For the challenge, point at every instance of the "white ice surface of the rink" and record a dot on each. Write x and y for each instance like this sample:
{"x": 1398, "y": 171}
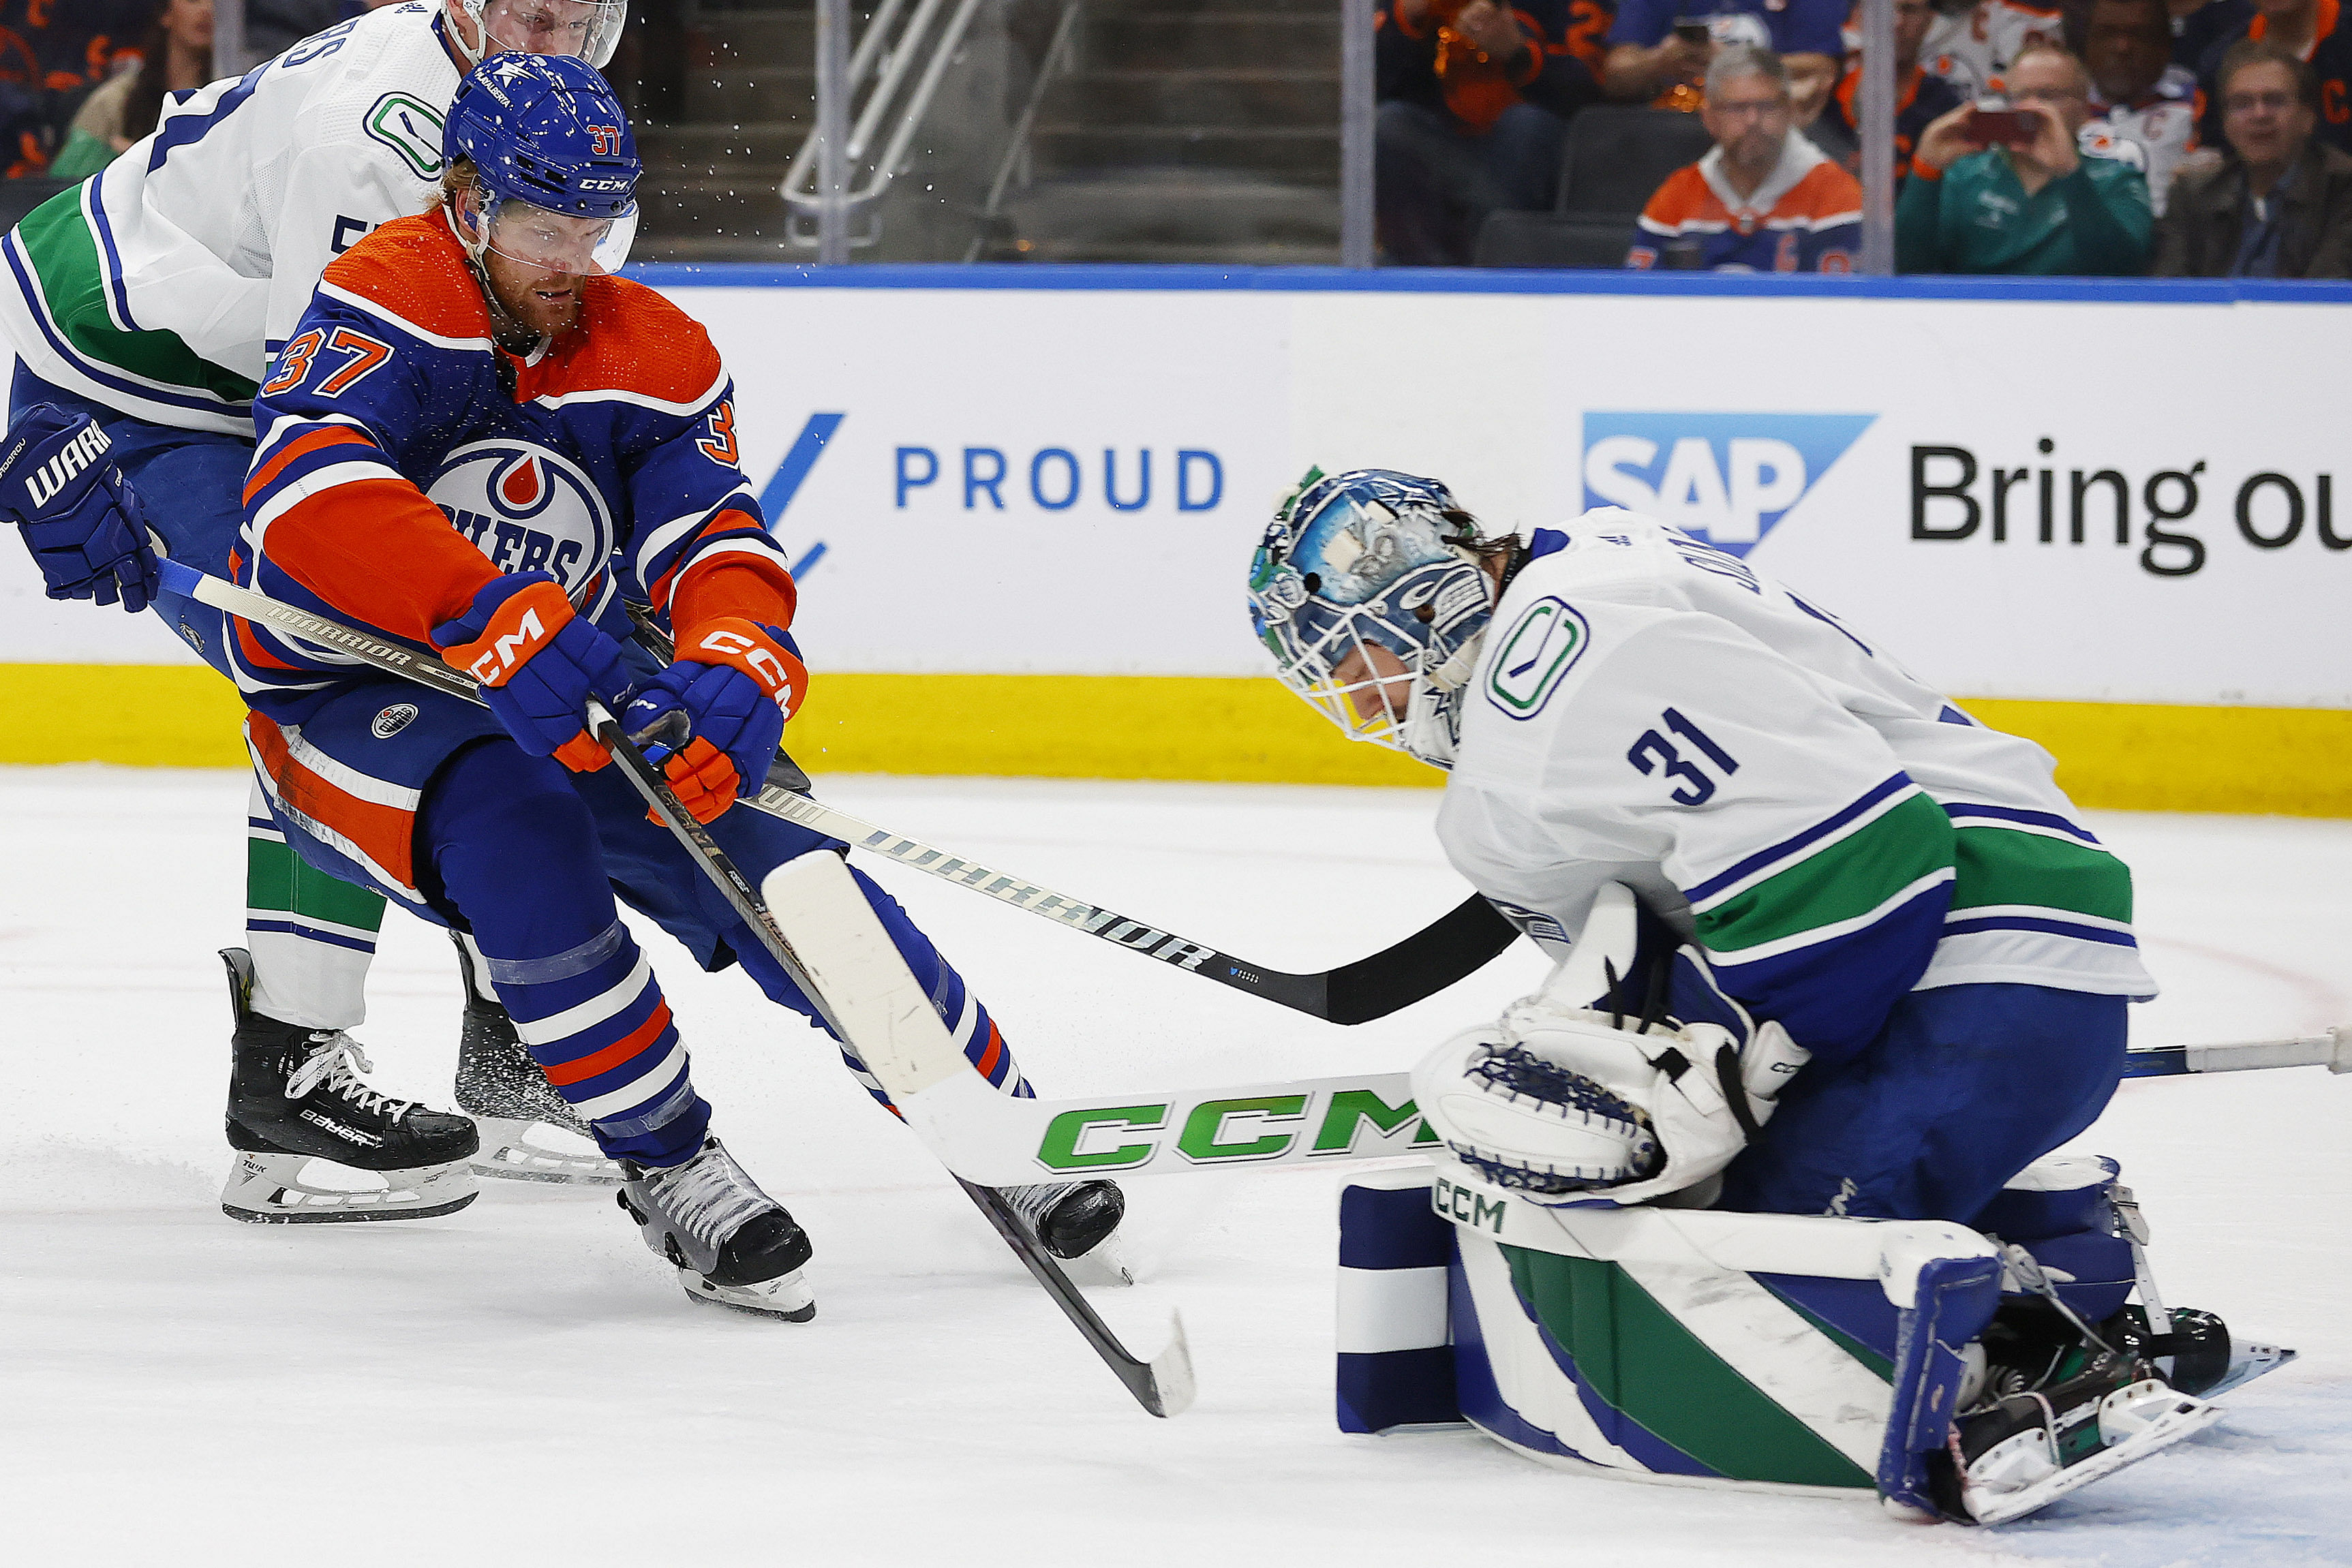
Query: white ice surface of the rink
{"x": 523, "y": 1381}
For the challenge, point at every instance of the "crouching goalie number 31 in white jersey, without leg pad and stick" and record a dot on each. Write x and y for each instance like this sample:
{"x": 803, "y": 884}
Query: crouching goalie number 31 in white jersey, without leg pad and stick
{"x": 1883, "y": 965}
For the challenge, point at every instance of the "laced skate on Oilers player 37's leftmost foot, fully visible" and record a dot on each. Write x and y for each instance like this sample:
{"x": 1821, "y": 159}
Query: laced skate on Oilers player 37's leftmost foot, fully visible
{"x": 730, "y": 1242}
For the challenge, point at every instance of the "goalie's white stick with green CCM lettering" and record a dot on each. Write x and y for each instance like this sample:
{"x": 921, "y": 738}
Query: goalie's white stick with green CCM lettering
{"x": 991, "y": 1139}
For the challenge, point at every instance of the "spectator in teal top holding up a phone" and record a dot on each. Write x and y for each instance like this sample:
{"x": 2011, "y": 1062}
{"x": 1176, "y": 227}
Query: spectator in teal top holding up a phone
{"x": 2038, "y": 206}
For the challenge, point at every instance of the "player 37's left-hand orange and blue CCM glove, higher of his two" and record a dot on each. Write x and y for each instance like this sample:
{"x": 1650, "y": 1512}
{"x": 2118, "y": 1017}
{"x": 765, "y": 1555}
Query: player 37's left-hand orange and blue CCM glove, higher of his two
{"x": 537, "y": 666}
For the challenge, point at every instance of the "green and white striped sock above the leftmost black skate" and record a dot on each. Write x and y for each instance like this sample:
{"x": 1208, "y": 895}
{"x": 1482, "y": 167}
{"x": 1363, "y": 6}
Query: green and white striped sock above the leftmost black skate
{"x": 312, "y": 934}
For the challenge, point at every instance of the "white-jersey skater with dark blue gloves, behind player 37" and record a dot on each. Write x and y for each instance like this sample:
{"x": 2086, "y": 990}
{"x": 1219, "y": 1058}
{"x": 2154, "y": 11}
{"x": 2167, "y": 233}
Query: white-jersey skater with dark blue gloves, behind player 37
{"x": 142, "y": 309}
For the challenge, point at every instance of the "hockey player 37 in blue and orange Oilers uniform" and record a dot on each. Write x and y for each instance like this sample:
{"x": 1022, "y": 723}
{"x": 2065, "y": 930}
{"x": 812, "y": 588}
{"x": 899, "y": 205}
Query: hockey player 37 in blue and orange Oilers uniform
{"x": 481, "y": 349}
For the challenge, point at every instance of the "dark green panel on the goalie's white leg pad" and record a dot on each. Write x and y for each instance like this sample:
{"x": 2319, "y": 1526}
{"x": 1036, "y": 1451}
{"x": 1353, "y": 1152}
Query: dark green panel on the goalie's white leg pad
{"x": 1641, "y": 1362}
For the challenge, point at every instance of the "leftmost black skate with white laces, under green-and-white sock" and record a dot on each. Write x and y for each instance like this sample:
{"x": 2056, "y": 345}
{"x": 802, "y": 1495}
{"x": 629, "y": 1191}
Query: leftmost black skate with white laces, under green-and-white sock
{"x": 293, "y": 1099}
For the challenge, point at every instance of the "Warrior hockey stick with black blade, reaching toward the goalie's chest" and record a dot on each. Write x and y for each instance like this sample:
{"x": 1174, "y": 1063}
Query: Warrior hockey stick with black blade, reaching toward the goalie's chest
{"x": 1422, "y": 965}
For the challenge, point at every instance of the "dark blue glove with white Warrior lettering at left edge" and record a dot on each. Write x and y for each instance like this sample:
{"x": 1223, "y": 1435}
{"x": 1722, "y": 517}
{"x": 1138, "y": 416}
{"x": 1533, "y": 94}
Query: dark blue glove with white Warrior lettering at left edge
{"x": 81, "y": 521}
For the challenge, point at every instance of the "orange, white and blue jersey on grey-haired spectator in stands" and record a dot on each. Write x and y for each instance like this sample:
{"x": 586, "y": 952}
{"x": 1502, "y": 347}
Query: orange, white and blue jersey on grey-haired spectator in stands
{"x": 1808, "y": 217}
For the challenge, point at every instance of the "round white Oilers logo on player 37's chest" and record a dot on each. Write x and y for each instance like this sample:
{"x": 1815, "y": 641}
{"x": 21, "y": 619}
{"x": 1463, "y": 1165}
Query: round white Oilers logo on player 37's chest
{"x": 526, "y": 509}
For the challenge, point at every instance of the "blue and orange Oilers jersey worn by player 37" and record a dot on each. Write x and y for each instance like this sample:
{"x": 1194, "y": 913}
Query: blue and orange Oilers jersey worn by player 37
{"x": 406, "y": 460}
